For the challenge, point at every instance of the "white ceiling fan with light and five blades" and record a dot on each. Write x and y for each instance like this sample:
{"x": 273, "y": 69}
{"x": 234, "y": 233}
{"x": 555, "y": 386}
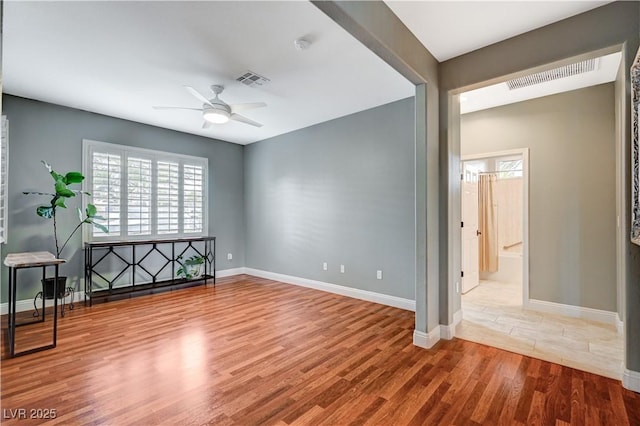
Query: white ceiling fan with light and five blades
{"x": 216, "y": 111}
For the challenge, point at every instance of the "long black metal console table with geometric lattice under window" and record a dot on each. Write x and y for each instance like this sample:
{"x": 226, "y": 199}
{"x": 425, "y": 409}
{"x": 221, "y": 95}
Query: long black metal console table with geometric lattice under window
{"x": 118, "y": 269}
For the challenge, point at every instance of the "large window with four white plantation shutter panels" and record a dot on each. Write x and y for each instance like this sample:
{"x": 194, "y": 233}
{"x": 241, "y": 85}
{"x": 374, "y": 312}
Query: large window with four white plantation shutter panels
{"x": 145, "y": 194}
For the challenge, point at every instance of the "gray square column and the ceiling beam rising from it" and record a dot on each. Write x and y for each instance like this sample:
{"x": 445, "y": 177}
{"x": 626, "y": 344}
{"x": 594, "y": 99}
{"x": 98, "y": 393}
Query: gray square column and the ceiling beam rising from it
{"x": 378, "y": 28}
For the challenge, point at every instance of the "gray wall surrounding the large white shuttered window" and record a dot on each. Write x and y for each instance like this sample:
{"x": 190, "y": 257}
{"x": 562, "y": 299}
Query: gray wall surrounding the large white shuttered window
{"x": 42, "y": 131}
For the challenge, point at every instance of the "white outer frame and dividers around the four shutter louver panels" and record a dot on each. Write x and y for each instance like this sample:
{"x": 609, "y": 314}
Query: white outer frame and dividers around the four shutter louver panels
{"x": 125, "y": 151}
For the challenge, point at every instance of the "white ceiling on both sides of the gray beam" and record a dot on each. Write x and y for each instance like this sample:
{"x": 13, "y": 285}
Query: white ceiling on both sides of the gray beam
{"x": 120, "y": 58}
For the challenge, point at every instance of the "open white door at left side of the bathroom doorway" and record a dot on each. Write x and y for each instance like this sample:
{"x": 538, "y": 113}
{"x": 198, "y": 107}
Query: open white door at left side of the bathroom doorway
{"x": 470, "y": 254}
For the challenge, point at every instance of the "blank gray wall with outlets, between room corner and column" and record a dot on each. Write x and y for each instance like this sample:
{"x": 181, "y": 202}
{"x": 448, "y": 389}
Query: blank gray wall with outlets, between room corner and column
{"x": 340, "y": 192}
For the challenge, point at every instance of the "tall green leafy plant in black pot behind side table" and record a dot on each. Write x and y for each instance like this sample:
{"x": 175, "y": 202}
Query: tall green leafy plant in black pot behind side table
{"x": 61, "y": 193}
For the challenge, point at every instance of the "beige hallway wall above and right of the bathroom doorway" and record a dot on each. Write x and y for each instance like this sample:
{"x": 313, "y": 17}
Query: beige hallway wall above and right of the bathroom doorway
{"x": 572, "y": 210}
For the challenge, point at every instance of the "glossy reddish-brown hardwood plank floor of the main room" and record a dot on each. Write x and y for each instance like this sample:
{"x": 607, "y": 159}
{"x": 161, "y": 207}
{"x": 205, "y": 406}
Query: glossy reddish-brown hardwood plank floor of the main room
{"x": 256, "y": 351}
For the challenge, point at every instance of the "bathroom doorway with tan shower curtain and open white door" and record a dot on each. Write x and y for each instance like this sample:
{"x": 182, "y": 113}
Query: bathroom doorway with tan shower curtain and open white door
{"x": 493, "y": 192}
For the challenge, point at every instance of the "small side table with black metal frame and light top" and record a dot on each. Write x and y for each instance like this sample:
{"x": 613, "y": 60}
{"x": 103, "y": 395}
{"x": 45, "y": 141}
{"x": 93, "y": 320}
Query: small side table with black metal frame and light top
{"x": 15, "y": 261}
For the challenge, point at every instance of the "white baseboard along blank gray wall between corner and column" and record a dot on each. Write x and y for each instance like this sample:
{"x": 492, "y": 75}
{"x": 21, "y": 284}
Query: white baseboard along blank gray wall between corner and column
{"x": 370, "y": 296}
